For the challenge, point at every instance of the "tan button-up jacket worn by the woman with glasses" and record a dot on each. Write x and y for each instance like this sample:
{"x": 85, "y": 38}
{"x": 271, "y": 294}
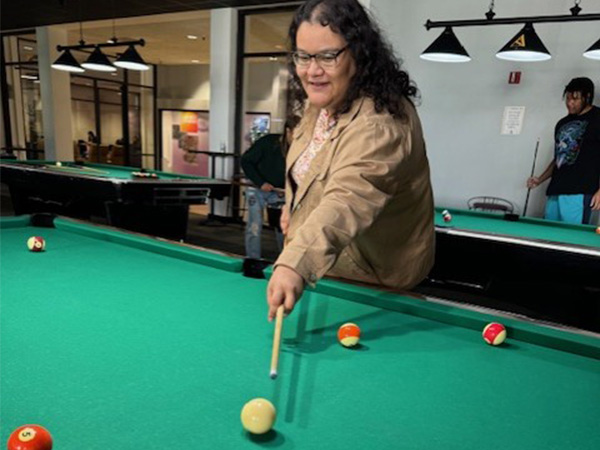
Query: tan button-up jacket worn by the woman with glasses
{"x": 365, "y": 208}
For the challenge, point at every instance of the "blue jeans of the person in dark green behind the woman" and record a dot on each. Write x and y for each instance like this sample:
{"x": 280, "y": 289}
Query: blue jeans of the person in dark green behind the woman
{"x": 256, "y": 201}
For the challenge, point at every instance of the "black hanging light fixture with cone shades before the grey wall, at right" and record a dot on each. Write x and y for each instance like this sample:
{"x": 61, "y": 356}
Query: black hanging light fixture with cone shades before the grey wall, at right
{"x": 525, "y": 46}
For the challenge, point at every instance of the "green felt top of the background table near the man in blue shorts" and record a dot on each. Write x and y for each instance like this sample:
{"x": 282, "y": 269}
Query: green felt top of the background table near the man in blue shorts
{"x": 525, "y": 227}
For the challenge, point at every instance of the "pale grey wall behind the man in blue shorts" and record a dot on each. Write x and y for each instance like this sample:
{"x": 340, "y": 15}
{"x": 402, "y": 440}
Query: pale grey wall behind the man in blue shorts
{"x": 461, "y": 105}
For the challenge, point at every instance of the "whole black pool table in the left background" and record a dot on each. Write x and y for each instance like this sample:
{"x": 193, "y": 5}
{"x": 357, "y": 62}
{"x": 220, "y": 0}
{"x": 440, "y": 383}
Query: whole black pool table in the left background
{"x": 153, "y": 206}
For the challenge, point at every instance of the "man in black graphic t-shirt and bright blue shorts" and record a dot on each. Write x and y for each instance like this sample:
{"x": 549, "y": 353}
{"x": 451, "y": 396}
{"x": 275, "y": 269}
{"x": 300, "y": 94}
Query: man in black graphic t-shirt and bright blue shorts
{"x": 574, "y": 189}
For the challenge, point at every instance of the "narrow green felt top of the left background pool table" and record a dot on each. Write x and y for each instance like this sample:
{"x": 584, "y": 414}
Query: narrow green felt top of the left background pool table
{"x": 99, "y": 170}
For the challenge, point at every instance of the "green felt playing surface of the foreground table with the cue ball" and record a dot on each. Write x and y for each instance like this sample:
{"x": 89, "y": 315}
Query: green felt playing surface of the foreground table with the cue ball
{"x": 114, "y": 346}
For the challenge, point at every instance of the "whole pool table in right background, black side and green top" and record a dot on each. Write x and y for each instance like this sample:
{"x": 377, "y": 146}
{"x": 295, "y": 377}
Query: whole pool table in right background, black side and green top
{"x": 547, "y": 269}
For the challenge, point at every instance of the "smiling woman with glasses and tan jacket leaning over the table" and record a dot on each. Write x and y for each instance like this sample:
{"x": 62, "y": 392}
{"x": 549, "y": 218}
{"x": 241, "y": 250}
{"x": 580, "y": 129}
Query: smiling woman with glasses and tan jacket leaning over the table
{"x": 359, "y": 202}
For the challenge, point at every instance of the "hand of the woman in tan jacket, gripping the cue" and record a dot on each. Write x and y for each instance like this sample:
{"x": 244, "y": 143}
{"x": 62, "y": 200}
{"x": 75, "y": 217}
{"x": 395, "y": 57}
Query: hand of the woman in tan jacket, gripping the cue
{"x": 285, "y": 288}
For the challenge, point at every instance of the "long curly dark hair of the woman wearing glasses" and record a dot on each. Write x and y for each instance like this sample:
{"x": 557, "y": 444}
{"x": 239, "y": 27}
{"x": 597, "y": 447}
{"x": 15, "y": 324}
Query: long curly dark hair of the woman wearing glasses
{"x": 378, "y": 73}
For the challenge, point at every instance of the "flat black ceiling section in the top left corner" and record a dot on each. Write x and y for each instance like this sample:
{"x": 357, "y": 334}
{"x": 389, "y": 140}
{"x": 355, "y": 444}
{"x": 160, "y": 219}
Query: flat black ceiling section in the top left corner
{"x": 23, "y": 14}
